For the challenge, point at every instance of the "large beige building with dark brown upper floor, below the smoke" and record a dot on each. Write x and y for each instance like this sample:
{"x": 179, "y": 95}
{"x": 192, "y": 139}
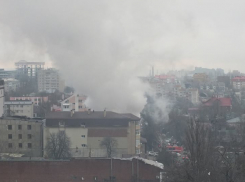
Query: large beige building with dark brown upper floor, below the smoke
{"x": 87, "y": 130}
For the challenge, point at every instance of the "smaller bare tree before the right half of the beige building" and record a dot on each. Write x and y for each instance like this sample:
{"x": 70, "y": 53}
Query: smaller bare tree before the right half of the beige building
{"x": 110, "y": 144}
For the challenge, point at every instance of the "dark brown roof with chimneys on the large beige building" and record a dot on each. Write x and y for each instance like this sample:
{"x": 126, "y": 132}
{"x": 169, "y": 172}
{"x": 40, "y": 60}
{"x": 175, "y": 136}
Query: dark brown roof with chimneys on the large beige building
{"x": 94, "y": 115}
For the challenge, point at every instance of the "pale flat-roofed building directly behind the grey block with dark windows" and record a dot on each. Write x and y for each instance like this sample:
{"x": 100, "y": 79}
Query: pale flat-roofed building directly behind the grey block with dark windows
{"x": 19, "y": 108}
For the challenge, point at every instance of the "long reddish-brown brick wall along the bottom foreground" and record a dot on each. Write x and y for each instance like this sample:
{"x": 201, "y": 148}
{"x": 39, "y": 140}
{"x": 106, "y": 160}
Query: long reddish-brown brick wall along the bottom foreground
{"x": 78, "y": 170}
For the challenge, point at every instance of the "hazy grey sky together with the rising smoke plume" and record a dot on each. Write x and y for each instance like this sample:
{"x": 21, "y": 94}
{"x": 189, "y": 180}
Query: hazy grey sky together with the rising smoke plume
{"x": 100, "y": 45}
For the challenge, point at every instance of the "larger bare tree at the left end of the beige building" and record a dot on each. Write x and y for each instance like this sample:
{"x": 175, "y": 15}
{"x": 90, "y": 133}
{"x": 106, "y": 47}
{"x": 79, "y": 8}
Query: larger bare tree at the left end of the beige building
{"x": 58, "y": 145}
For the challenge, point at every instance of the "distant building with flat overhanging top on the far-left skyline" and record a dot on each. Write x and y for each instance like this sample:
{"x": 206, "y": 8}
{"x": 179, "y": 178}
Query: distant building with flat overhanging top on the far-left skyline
{"x": 29, "y": 69}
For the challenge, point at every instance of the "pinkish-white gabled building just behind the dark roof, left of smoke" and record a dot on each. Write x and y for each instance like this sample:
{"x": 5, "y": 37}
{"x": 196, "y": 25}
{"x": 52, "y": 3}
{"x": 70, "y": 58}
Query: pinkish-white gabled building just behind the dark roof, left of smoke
{"x": 74, "y": 102}
